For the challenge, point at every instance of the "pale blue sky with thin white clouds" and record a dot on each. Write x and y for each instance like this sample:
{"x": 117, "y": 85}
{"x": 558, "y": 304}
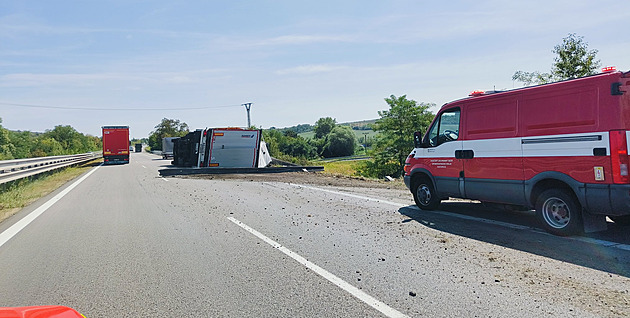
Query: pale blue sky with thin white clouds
{"x": 89, "y": 64}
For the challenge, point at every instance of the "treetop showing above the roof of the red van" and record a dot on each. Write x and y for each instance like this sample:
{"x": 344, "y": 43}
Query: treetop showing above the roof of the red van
{"x": 573, "y": 60}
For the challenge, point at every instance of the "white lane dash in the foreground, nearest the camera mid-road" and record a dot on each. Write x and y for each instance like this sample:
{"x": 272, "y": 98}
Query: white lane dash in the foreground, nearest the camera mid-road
{"x": 361, "y": 295}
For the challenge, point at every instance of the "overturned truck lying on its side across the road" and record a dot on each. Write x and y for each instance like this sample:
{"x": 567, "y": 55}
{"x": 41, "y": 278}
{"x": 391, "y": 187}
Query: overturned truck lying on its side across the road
{"x": 222, "y": 148}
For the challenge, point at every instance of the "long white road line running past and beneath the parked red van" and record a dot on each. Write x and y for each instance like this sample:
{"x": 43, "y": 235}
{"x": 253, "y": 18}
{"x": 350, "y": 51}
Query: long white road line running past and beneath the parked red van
{"x": 466, "y": 217}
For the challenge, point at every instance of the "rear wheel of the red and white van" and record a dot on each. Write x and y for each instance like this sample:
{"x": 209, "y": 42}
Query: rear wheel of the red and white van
{"x": 559, "y": 212}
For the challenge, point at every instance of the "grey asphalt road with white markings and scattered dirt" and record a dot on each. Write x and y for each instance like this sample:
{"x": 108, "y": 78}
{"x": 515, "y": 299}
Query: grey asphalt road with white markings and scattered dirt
{"x": 126, "y": 242}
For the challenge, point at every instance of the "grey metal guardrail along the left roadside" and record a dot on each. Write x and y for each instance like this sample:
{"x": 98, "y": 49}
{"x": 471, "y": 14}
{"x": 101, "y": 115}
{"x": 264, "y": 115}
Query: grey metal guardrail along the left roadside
{"x": 11, "y": 170}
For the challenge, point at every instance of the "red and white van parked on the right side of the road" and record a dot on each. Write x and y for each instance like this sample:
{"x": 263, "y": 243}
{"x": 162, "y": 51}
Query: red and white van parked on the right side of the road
{"x": 561, "y": 148}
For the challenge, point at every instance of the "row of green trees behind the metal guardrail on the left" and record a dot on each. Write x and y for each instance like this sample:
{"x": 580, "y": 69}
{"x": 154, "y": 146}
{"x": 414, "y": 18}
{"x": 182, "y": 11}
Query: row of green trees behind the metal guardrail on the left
{"x": 61, "y": 140}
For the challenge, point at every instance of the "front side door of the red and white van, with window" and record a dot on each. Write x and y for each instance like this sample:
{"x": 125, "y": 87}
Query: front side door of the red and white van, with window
{"x": 441, "y": 150}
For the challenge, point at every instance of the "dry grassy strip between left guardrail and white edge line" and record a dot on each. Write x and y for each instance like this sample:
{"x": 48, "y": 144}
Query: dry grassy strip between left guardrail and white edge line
{"x": 23, "y": 192}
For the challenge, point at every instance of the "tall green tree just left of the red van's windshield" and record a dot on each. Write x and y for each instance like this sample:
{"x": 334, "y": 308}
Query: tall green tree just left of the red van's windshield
{"x": 395, "y": 141}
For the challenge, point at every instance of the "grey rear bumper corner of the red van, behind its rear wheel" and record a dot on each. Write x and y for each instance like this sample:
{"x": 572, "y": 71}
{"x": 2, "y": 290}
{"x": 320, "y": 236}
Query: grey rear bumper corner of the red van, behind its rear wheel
{"x": 613, "y": 199}
